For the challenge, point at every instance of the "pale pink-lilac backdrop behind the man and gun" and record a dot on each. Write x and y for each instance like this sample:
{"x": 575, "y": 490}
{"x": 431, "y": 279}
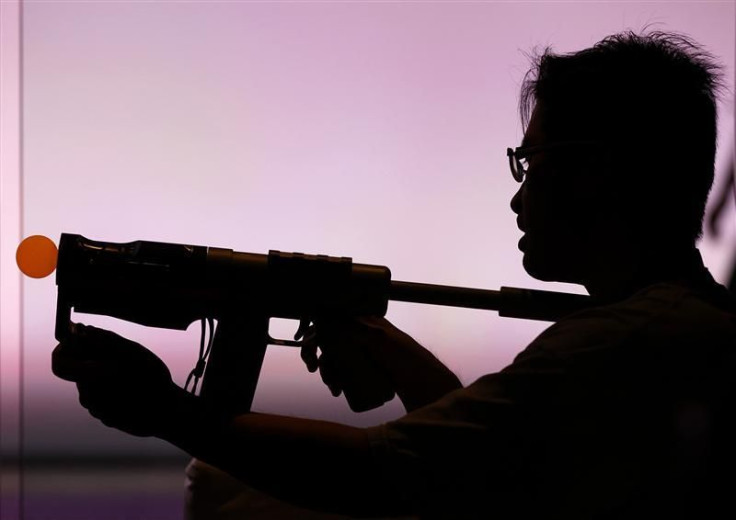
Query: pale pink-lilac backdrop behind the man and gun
{"x": 375, "y": 130}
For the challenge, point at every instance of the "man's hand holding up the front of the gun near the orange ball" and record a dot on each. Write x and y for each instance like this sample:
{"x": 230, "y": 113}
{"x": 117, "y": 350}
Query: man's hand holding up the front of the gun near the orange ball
{"x": 120, "y": 382}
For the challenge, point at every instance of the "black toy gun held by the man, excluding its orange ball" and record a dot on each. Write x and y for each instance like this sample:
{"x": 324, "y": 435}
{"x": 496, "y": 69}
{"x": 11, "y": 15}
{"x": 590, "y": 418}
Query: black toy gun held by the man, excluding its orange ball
{"x": 172, "y": 285}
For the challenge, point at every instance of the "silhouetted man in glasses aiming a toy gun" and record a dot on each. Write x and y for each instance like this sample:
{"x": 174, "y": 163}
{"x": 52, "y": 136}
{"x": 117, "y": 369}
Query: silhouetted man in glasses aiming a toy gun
{"x": 621, "y": 411}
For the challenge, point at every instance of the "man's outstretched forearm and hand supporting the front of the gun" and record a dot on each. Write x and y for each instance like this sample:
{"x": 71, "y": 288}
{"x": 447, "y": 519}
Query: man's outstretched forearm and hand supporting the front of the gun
{"x": 314, "y": 464}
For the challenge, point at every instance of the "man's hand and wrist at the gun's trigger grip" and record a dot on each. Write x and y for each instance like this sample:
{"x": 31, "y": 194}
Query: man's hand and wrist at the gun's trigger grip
{"x": 368, "y": 359}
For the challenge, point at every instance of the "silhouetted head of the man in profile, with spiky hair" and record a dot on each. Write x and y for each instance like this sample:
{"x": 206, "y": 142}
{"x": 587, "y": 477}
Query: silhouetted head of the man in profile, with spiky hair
{"x": 640, "y": 112}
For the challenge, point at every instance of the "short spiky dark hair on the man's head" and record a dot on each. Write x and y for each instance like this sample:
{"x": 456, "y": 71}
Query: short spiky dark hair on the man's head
{"x": 651, "y": 97}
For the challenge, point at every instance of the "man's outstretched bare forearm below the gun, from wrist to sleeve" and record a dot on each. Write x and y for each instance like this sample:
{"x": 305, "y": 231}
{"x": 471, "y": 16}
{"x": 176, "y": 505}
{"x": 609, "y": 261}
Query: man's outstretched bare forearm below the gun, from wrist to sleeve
{"x": 314, "y": 464}
